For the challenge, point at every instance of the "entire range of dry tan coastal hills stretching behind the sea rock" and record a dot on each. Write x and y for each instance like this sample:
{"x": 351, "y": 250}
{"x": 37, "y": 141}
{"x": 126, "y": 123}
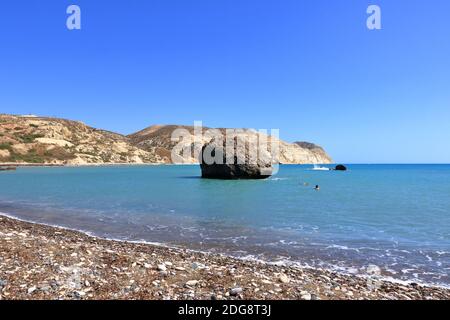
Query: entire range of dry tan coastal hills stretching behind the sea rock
{"x": 44, "y": 140}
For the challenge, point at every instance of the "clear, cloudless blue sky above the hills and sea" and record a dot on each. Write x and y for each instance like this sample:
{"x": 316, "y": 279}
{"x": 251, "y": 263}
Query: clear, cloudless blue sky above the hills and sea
{"x": 310, "y": 68}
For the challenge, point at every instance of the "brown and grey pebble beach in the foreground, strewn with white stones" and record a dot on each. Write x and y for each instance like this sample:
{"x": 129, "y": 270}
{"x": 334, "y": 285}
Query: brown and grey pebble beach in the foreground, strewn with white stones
{"x": 47, "y": 262}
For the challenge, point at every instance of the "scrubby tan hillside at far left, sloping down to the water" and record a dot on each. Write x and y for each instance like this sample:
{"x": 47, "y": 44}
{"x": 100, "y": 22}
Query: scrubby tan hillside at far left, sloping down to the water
{"x": 29, "y": 139}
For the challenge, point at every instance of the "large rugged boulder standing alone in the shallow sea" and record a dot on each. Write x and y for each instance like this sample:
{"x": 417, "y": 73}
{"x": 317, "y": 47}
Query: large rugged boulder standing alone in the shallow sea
{"x": 240, "y": 160}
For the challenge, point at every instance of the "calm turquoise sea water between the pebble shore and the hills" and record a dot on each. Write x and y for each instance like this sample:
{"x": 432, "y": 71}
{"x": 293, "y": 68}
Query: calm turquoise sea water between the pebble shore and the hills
{"x": 394, "y": 216}
